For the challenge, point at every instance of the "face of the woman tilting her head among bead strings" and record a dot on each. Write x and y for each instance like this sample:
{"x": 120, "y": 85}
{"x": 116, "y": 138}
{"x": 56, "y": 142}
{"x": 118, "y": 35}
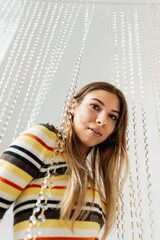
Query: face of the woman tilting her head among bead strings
{"x": 95, "y": 118}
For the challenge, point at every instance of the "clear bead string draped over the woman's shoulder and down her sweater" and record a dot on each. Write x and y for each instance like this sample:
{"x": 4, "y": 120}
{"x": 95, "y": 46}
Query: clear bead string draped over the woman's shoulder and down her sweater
{"x": 41, "y": 207}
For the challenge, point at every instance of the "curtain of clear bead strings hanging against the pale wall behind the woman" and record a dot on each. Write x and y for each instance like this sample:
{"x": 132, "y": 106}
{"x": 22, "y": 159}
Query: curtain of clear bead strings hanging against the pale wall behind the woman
{"x": 45, "y": 45}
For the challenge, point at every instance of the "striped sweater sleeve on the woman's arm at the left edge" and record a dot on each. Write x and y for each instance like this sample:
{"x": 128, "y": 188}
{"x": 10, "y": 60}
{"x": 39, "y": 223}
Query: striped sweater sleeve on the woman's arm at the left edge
{"x": 21, "y": 162}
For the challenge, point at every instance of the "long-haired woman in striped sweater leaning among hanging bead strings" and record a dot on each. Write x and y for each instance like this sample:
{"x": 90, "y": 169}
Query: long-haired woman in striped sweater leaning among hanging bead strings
{"x": 65, "y": 186}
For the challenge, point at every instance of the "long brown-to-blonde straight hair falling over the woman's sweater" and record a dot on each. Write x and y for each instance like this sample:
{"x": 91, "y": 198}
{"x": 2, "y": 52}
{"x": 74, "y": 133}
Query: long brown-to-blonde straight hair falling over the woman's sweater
{"x": 109, "y": 158}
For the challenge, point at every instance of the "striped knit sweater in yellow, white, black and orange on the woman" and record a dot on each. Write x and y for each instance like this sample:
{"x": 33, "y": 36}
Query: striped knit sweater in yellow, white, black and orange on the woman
{"x": 22, "y": 169}
